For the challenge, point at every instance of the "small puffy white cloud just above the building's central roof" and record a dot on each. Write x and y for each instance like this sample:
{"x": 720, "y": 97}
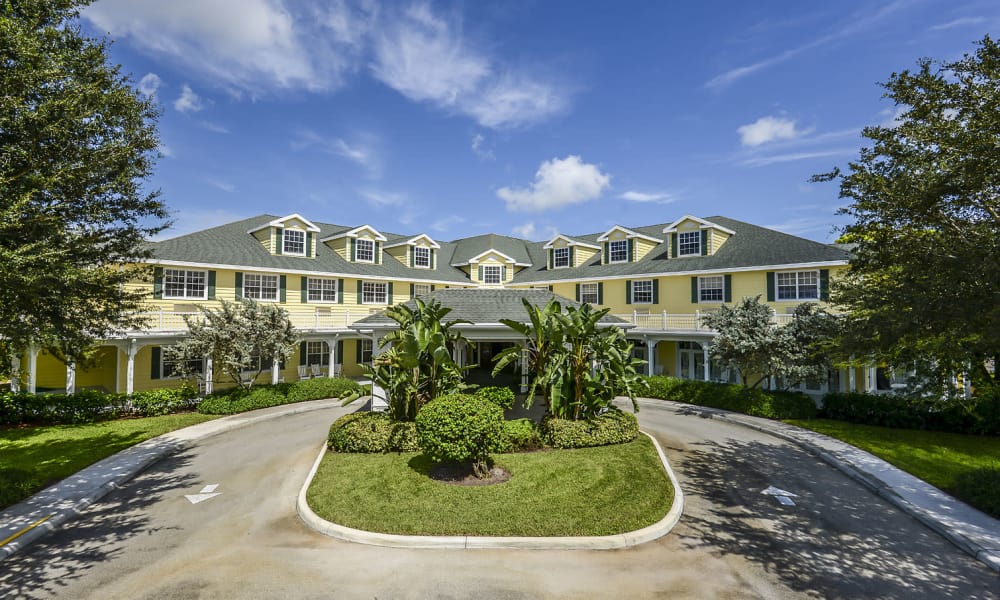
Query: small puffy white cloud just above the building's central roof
{"x": 558, "y": 183}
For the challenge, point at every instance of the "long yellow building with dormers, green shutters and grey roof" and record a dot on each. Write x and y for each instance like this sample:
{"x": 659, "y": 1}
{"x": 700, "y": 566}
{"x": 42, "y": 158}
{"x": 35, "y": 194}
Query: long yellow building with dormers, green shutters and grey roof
{"x": 335, "y": 280}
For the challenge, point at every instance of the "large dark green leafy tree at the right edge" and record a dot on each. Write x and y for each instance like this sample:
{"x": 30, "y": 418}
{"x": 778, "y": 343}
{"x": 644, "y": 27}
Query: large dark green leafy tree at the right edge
{"x": 925, "y": 199}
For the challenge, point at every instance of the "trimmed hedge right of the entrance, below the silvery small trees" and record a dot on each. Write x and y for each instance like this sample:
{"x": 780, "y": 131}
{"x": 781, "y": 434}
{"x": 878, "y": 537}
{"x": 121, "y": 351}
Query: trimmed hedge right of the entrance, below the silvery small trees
{"x": 755, "y": 402}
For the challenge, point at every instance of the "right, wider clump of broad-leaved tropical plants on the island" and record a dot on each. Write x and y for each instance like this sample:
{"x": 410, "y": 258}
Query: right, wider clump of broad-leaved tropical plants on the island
{"x": 579, "y": 365}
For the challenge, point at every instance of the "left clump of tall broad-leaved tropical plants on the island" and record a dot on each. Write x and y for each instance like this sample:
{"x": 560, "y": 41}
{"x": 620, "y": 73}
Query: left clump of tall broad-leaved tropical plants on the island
{"x": 418, "y": 366}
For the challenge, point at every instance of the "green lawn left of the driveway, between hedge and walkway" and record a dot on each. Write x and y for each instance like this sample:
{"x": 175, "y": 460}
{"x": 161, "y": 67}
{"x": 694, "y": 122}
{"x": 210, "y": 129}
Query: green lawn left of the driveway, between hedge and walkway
{"x": 34, "y": 457}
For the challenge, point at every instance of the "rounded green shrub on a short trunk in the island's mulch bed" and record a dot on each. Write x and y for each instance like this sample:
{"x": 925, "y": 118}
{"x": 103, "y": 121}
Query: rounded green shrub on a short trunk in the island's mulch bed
{"x": 461, "y": 428}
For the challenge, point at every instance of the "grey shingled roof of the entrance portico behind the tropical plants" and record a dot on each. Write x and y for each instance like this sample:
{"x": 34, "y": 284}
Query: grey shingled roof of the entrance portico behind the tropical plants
{"x": 485, "y": 305}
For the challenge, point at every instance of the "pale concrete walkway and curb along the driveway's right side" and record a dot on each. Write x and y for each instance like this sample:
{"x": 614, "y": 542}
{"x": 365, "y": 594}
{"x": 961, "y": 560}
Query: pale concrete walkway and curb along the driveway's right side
{"x": 955, "y": 532}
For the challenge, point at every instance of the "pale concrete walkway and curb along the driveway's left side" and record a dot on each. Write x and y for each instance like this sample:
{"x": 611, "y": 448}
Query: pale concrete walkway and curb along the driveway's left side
{"x": 32, "y": 519}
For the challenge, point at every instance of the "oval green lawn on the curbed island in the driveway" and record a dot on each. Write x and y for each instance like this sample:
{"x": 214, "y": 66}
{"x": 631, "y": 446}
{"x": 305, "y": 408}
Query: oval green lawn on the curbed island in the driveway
{"x": 589, "y": 491}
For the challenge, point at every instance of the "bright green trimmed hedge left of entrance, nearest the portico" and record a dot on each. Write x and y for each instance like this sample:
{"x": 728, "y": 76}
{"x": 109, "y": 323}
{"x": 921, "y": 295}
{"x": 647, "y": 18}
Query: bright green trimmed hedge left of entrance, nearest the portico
{"x": 238, "y": 400}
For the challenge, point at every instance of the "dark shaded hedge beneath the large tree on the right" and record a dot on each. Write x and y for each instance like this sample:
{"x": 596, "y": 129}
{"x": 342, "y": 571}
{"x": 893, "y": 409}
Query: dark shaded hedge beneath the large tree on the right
{"x": 977, "y": 415}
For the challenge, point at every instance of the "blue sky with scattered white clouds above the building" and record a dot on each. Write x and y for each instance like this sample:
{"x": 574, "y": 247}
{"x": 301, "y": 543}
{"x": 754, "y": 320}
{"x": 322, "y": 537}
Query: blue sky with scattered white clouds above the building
{"x": 520, "y": 118}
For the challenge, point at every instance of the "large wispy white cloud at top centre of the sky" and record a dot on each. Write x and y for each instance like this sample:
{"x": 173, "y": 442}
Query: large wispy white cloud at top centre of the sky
{"x": 427, "y": 59}
